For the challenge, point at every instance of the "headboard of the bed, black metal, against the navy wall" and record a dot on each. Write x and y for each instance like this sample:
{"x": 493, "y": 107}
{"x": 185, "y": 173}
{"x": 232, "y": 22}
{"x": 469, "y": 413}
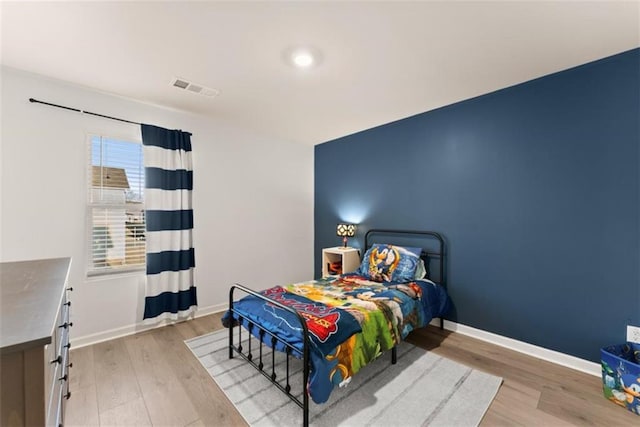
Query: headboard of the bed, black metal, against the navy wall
{"x": 432, "y": 244}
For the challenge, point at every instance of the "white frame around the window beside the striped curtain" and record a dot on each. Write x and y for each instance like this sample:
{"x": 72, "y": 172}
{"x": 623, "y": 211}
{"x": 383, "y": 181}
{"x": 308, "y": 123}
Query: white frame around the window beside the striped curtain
{"x": 90, "y": 270}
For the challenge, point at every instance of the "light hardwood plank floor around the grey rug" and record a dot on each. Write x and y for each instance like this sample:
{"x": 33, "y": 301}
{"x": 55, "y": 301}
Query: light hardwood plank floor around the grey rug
{"x": 153, "y": 379}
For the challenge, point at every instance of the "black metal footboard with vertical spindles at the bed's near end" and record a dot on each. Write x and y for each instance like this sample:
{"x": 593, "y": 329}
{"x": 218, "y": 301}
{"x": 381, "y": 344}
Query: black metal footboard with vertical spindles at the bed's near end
{"x": 273, "y": 340}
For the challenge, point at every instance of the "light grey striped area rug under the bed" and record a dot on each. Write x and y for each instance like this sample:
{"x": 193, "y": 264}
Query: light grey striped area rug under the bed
{"x": 420, "y": 389}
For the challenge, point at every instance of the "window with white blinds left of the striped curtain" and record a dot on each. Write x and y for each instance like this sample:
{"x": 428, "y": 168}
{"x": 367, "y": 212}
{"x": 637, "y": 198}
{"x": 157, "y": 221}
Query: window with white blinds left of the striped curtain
{"x": 116, "y": 206}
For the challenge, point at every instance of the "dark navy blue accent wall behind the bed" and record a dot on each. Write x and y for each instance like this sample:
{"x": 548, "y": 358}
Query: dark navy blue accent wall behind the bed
{"x": 536, "y": 189}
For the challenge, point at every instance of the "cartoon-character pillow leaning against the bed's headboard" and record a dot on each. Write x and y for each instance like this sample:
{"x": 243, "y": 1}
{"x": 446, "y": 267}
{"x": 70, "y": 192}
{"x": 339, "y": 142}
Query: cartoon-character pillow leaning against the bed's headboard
{"x": 389, "y": 263}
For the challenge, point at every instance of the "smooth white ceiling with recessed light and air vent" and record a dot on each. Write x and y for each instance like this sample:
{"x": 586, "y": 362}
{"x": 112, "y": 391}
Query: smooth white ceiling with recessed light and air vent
{"x": 381, "y": 61}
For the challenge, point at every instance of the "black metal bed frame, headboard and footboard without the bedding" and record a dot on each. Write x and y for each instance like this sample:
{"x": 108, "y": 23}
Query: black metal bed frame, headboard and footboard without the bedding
{"x": 283, "y": 384}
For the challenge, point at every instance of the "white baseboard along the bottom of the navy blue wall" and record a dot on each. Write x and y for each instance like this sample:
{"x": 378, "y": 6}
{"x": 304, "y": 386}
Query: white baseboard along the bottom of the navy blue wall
{"x": 553, "y": 356}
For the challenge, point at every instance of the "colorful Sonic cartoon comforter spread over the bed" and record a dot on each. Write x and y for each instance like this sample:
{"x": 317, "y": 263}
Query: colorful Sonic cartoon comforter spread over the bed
{"x": 351, "y": 321}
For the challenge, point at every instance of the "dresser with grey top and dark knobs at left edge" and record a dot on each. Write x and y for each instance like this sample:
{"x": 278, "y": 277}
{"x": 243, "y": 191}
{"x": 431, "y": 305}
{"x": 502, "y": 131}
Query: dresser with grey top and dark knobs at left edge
{"x": 34, "y": 342}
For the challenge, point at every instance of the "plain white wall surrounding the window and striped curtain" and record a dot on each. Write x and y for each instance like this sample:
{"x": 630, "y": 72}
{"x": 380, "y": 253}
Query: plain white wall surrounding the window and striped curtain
{"x": 253, "y": 198}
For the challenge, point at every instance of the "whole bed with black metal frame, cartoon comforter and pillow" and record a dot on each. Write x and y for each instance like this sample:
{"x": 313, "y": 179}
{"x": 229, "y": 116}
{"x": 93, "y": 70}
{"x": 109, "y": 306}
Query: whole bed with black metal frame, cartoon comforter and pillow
{"x": 338, "y": 325}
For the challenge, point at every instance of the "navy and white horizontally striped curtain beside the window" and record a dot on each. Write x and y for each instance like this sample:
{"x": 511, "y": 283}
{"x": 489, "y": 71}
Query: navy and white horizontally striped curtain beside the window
{"x": 170, "y": 291}
